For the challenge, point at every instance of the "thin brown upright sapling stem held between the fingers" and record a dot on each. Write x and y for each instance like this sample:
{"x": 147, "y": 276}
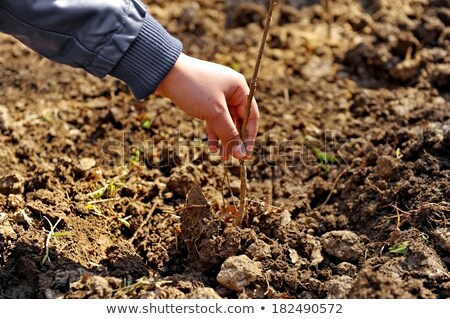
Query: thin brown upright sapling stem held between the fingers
{"x": 244, "y": 129}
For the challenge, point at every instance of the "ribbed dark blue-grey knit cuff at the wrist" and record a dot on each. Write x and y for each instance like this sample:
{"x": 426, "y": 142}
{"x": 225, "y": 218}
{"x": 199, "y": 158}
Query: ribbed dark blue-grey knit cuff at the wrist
{"x": 148, "y": 59}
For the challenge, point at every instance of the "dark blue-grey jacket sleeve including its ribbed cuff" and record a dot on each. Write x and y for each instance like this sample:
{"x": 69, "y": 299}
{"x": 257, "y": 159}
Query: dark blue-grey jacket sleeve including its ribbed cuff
{"x": 115, "y": 37}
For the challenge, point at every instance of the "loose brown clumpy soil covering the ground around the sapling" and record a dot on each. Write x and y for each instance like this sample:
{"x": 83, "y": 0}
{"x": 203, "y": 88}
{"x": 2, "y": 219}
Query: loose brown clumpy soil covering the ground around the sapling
{"x": 102, "y": 196}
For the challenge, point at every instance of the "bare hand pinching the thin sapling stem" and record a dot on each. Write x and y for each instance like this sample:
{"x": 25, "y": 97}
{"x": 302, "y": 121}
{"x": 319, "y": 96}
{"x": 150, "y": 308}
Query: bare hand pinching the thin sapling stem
{"x": 216, "y": 94}
